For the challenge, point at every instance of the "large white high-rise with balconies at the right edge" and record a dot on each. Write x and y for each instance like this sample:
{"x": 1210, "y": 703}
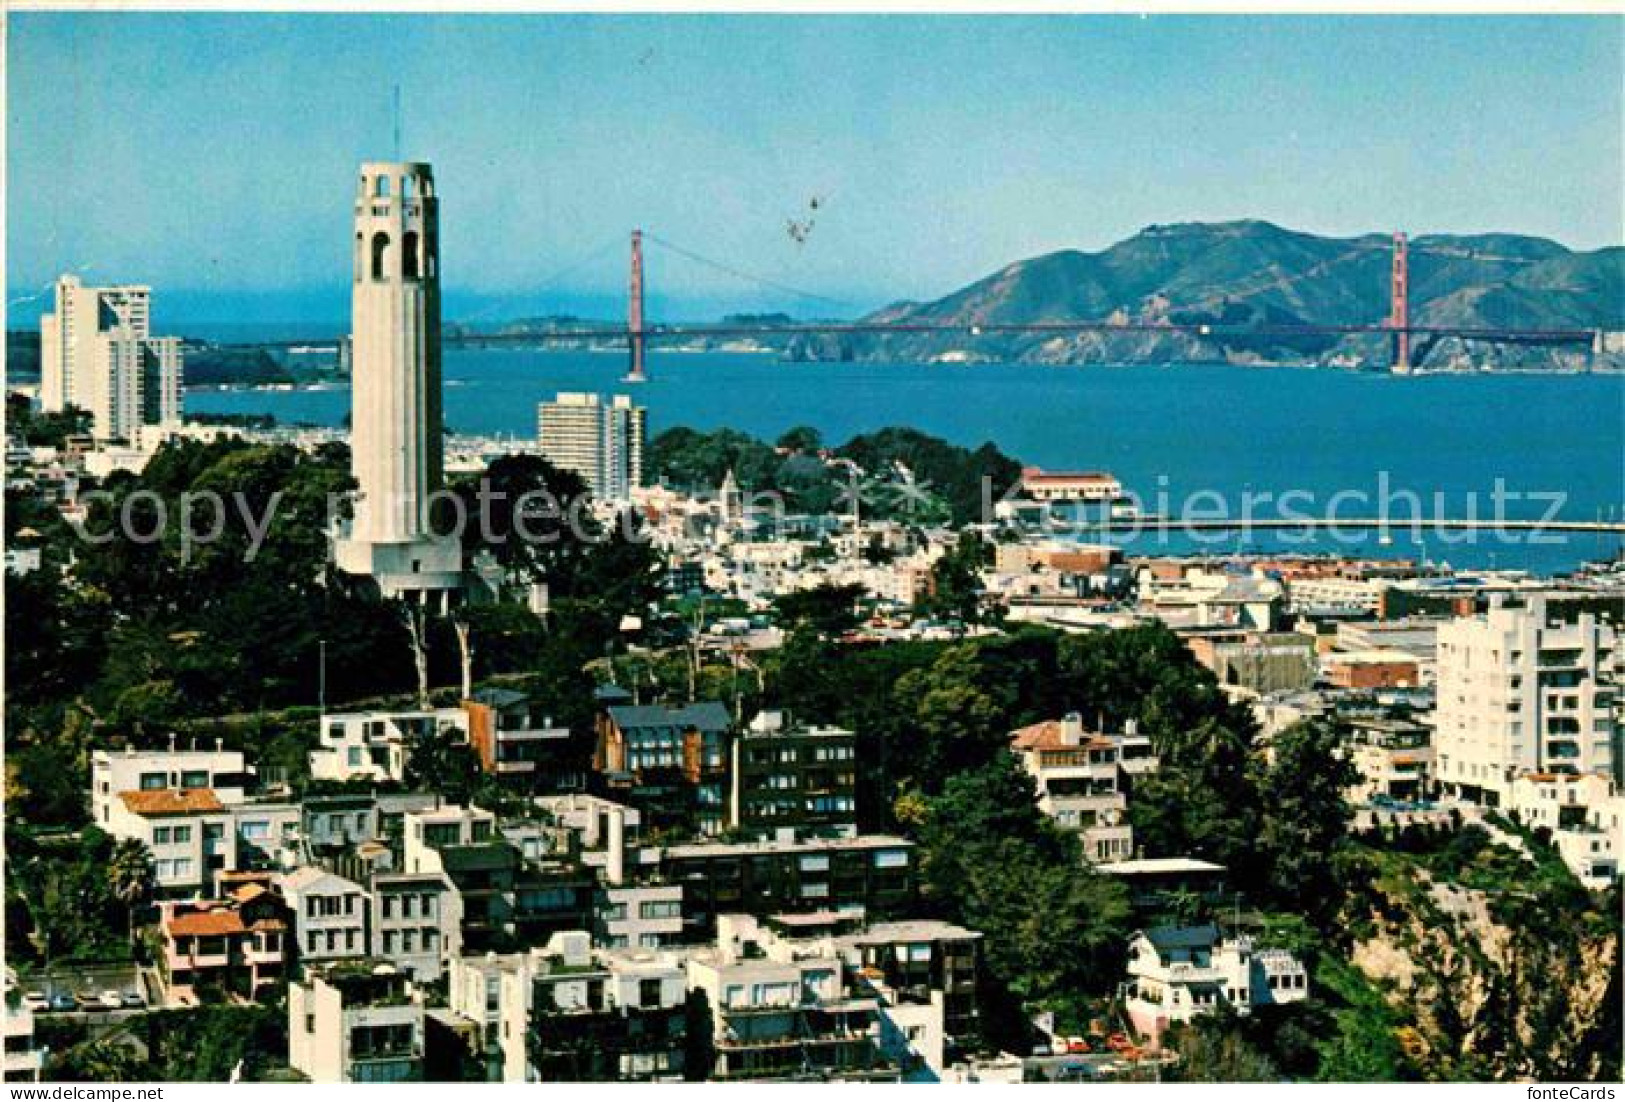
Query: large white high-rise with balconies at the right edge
{"x": 1522, "y": 693}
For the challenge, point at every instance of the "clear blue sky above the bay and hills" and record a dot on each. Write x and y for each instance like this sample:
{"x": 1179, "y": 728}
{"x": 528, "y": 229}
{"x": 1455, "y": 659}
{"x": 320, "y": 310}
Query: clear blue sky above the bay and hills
{"x": 214, "y": 157}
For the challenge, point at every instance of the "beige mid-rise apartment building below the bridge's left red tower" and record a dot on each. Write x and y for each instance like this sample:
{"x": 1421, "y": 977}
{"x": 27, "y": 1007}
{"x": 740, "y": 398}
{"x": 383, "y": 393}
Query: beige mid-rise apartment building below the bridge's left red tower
{"x": 604, "y": 443}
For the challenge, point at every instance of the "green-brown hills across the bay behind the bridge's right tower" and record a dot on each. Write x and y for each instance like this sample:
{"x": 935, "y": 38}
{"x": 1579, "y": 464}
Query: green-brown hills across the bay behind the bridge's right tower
{"x": 1254, "y": 272}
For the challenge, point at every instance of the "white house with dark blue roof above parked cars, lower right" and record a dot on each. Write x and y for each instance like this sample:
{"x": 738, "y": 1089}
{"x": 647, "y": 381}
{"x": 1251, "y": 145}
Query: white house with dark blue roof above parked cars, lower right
{"x": 1181, "y": 973}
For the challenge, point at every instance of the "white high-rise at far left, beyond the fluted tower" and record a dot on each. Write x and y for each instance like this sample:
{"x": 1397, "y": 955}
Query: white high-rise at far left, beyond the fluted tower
{"x": 98, "y": 354}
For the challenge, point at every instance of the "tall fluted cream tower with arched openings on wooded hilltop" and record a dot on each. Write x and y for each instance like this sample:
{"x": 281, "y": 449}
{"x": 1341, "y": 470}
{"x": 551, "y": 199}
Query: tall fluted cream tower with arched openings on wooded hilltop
{"x": 396, "y": 388}
